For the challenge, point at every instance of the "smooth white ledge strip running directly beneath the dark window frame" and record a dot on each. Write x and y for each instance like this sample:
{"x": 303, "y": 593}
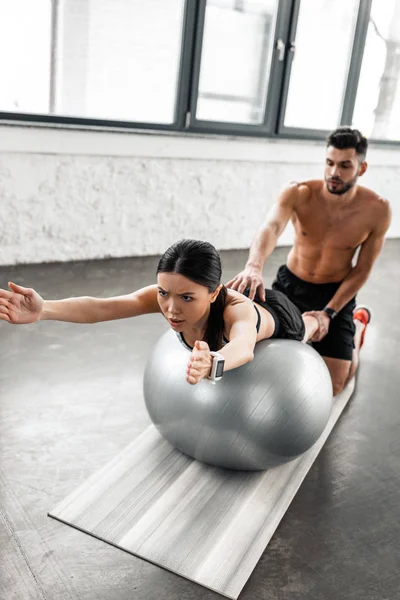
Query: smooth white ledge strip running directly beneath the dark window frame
{"x": 61, "y": 139}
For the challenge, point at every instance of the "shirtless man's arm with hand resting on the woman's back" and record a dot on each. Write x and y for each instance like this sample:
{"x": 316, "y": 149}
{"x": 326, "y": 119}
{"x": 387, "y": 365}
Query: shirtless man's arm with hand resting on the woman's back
{"x": 265, "y": 242}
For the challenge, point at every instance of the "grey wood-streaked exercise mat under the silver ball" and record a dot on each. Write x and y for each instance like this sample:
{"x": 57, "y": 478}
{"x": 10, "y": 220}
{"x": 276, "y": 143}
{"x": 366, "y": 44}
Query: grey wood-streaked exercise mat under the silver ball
{"x": 206, "y": 524}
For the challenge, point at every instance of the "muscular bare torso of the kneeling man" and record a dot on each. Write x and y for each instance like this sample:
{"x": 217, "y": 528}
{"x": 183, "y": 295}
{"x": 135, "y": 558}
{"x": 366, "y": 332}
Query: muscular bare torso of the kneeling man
{"x": 329, "y": 230}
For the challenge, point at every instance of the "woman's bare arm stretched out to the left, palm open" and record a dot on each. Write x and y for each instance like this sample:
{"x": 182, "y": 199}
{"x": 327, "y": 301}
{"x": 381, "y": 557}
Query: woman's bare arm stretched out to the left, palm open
{"x": 20, "y": 305}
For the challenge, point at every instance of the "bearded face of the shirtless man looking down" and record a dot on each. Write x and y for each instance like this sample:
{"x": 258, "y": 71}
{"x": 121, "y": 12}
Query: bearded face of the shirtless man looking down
{"x": 342, "y": 169}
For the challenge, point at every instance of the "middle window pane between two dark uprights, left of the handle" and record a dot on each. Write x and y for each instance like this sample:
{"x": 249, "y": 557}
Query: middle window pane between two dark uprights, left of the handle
{"x": 236, "y": 56}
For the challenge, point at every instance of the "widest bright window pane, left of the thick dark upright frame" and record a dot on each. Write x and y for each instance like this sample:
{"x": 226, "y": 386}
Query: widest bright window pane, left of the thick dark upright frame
{"x": 119, "y": 60}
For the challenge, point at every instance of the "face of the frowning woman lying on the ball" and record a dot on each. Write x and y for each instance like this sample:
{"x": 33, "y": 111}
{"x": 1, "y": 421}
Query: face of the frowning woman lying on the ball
{"x": 184, "y": 304}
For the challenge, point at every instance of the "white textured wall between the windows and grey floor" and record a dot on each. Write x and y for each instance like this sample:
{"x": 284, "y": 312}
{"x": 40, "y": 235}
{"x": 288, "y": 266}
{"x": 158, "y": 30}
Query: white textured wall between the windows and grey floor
{"x": 68, "y": 194}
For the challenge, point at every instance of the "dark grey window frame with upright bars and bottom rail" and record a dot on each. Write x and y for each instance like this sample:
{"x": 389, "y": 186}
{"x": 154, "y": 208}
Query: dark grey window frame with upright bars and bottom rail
{"x": 185, "y": 121}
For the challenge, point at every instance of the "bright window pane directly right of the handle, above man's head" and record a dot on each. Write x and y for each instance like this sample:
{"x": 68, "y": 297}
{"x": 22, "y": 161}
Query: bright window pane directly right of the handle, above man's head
{"x": 323, "y": 45}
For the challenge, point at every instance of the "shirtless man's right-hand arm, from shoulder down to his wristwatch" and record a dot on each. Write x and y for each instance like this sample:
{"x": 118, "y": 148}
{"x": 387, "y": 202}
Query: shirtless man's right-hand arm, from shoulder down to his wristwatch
{"x": 369, "y": 252}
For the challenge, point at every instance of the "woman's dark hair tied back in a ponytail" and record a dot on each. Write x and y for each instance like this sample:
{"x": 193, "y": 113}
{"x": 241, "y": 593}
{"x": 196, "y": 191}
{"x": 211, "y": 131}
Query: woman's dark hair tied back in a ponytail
{"x": 200, "y": 262}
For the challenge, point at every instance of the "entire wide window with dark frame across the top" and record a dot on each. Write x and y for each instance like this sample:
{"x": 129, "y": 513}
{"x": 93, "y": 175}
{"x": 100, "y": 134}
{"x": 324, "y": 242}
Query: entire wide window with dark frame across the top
{"x": 255, "y": 67}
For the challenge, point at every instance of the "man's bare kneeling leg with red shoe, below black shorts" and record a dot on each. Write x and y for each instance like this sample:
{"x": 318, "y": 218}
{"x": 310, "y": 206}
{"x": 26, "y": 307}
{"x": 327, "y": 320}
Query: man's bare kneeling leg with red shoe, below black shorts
{"x": 343, "y": 370}
